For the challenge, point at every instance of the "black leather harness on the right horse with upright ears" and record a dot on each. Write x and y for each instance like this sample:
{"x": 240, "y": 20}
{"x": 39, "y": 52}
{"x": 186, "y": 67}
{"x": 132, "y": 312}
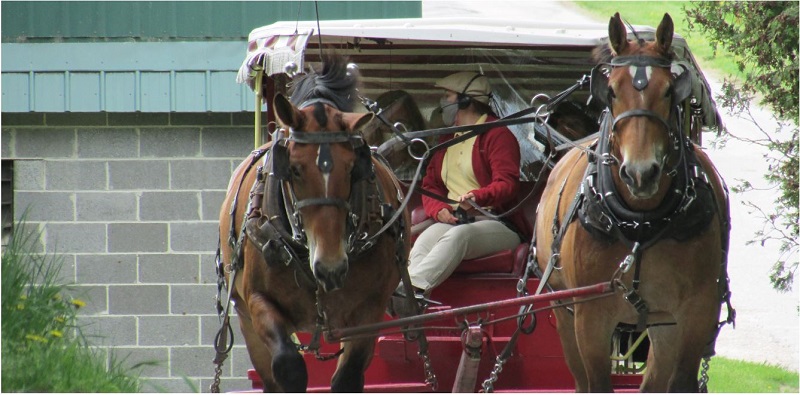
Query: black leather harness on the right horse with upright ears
{"x": 686, "y": 210}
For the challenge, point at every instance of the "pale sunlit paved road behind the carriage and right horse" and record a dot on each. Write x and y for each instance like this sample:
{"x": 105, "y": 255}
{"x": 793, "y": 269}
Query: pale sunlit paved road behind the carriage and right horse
{"x": 768, "y": 322}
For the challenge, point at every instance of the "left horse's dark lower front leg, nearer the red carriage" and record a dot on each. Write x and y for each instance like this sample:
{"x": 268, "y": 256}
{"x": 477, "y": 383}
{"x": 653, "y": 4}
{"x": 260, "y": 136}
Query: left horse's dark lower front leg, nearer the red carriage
{"x": 349, "y": 375}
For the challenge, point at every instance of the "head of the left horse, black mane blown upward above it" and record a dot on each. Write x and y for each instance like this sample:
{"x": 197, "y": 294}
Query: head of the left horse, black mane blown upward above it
{"x": 323, "y": 158}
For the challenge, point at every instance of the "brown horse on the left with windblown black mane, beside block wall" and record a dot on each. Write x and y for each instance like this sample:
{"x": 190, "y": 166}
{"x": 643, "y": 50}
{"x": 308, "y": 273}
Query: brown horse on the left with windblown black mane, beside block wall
{"x": 317, "y": 250}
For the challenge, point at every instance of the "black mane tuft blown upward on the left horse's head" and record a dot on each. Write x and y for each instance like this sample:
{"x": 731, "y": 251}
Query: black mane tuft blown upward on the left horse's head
{"x": 334, "y": 83}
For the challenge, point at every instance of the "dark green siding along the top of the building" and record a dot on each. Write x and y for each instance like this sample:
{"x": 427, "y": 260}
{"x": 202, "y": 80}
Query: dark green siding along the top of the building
{"x": 44, "y": 21}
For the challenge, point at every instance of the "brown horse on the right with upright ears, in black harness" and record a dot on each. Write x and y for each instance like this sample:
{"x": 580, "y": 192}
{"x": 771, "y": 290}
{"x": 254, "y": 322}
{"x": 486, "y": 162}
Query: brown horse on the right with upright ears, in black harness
{"x": 646, "y": 195}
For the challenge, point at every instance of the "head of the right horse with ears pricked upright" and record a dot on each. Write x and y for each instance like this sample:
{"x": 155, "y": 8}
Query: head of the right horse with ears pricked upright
{"x": 641, "y": 94}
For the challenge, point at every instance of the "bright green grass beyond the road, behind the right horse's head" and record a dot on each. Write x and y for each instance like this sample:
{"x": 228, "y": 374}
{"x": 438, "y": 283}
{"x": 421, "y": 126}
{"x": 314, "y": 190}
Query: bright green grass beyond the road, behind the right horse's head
{"x": 650, "y": 13}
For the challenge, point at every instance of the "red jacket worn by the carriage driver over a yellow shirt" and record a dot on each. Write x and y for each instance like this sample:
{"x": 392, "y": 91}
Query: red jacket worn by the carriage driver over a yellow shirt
{"x": 495, "y": 161}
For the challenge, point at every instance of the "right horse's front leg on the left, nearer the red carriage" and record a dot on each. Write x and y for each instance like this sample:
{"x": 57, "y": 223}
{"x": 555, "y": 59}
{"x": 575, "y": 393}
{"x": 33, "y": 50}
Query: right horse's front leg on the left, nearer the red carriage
{"x": 593, "y": 329}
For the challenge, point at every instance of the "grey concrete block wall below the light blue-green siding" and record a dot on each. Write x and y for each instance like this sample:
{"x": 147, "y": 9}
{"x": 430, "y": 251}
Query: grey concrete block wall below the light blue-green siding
{"x": 131, "y": 202}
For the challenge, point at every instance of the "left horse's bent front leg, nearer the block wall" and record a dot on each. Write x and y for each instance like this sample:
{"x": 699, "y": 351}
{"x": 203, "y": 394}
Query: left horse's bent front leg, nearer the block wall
{"x": 288, "y": 367}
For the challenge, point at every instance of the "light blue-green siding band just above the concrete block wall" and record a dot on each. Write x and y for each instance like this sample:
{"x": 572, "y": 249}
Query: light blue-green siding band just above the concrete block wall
{"x": 124, "y": 77}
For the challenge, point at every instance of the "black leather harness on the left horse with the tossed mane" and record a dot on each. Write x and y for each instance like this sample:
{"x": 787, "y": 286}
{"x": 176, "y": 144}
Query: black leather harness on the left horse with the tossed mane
{"x": 273, "y": 221}
